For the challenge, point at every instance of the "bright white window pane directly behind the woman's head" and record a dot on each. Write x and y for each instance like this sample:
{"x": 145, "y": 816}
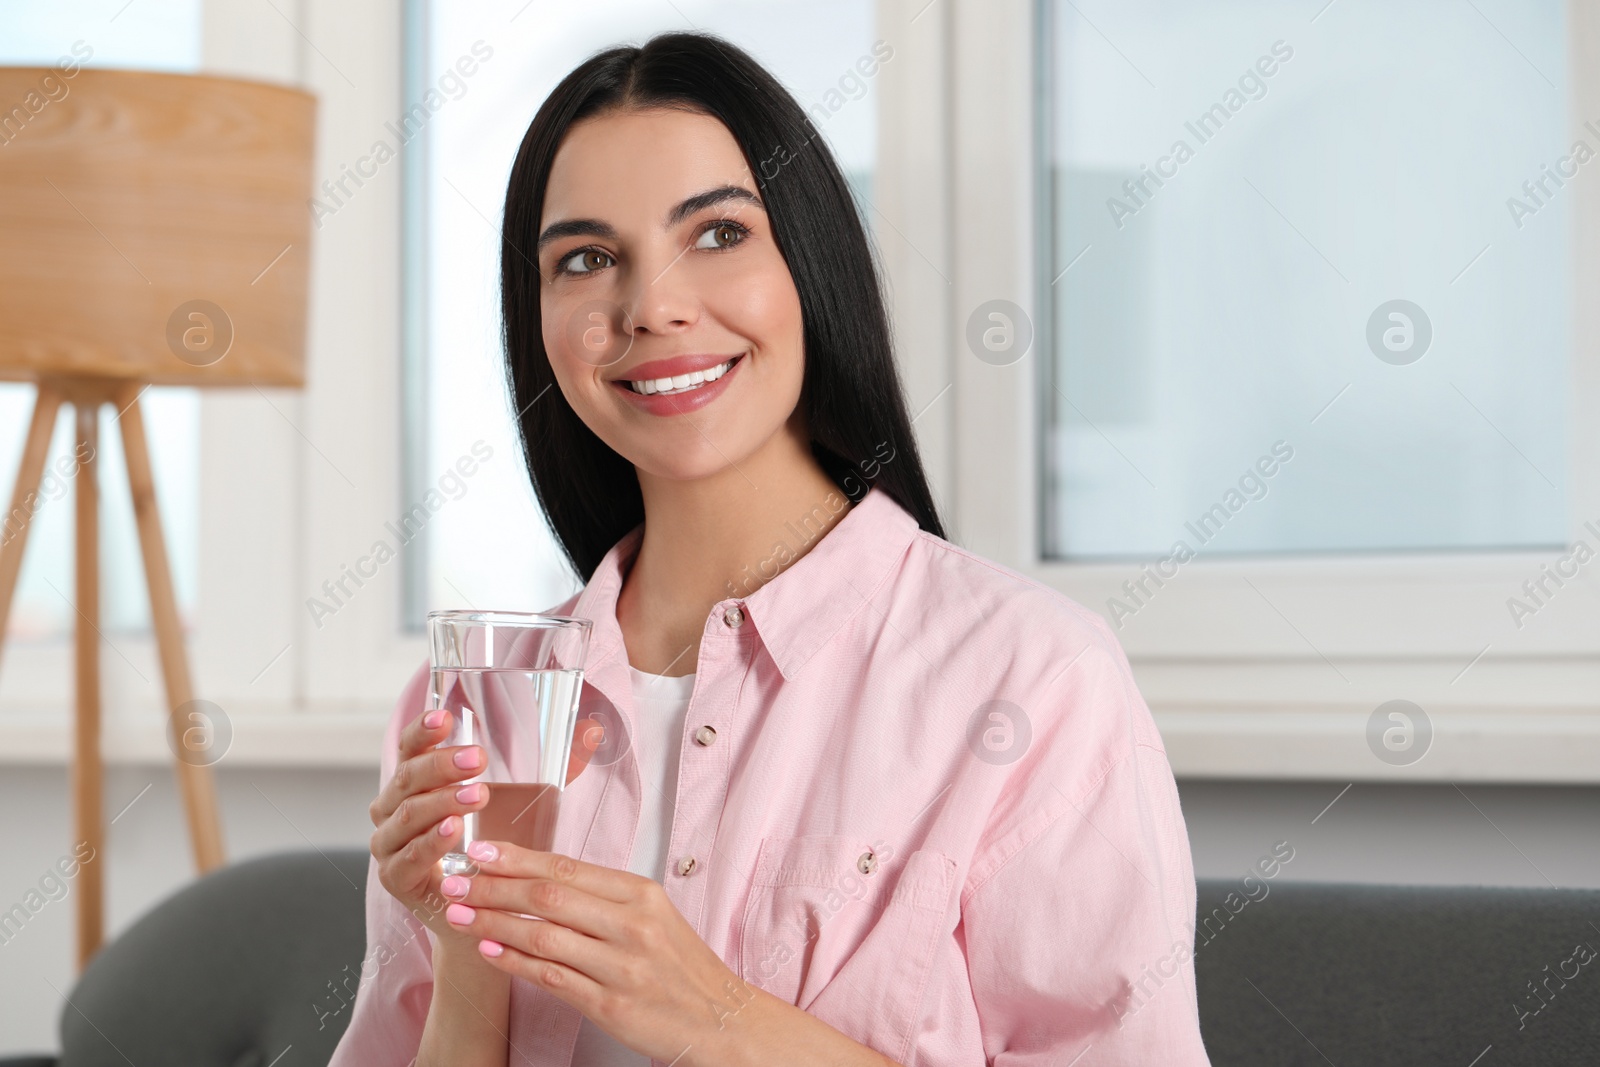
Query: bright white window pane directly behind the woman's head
{"x": 489, "y": 546}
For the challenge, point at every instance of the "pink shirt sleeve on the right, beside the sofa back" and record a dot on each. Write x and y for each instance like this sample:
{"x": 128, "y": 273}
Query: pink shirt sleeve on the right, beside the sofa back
{"x": 1081, "y": 938}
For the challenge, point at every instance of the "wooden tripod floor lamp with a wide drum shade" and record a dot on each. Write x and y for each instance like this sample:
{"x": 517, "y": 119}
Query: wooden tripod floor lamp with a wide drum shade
{"x": 154, "y": 230}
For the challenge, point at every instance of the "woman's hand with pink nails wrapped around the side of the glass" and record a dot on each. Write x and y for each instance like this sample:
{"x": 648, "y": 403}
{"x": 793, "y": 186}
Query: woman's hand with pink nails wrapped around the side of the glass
{"x": 420, "y": 809}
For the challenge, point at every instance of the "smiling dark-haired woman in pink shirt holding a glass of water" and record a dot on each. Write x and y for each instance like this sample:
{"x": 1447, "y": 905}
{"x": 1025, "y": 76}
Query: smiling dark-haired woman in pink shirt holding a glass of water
{"x": 865, "y": 797}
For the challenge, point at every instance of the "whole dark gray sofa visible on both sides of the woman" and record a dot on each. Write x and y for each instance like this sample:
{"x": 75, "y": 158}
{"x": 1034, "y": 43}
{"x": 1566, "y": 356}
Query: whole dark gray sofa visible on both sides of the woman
{"x": 263, "y": 957}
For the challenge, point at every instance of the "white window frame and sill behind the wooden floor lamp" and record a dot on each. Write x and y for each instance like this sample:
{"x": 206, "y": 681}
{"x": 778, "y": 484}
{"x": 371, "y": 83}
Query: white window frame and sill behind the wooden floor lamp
{"x": 294, "y": 484}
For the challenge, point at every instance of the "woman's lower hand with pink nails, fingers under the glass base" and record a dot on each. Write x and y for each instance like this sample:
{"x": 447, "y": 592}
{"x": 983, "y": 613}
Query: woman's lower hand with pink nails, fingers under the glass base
{"x": 614, "y": 948}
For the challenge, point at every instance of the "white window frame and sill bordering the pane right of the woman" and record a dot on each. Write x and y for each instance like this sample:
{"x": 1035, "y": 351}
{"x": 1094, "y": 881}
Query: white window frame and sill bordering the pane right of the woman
{"x": 1278, "y": 681}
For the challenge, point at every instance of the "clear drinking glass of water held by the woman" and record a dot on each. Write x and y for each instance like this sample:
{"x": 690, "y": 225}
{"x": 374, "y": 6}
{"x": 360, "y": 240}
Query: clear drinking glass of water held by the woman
{"x": 511, "y": 684}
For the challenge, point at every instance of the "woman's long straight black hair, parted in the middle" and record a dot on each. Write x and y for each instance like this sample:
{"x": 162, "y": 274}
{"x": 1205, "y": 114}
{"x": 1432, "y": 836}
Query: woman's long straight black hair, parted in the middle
{"x": 852, "y": 394}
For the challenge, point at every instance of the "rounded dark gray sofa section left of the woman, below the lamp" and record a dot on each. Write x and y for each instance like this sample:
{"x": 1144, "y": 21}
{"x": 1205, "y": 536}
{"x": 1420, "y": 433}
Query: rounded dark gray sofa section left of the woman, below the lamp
{"x": 230, "y": 972}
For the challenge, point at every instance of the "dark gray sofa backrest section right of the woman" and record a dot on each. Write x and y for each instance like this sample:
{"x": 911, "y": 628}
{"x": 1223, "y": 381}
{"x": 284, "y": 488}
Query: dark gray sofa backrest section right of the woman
{"x": 1383, "y": 975}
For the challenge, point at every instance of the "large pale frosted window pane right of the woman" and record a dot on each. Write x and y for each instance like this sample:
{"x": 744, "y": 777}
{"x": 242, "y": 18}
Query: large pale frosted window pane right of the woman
{"x": 1311, "y": 278}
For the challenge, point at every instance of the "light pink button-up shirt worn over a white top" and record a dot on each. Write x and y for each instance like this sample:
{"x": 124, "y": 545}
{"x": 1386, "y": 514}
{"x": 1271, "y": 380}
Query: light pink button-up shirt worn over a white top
{"x": 924, "y": 802}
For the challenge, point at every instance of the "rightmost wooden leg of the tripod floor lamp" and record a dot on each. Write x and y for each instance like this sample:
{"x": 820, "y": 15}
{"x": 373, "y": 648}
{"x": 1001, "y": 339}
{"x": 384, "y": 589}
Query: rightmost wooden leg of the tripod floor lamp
{"x": 193, "y": 767}
